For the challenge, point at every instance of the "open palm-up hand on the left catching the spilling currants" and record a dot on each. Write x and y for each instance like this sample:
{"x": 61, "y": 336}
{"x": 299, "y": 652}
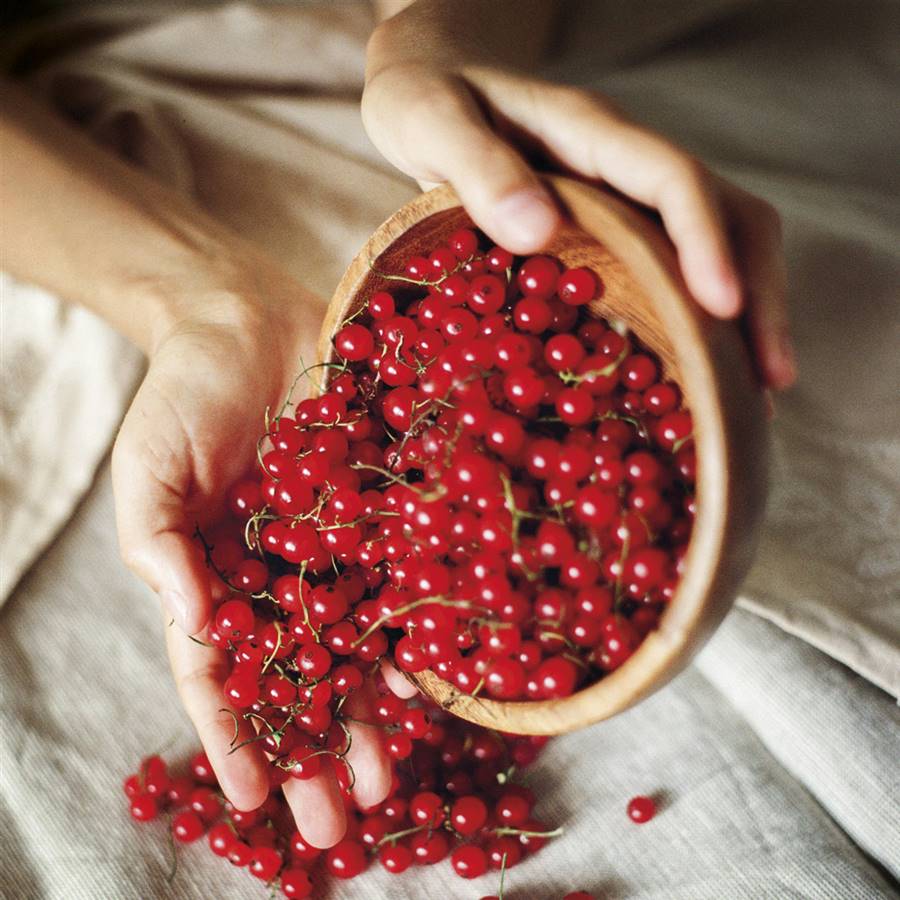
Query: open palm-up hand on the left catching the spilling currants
{"x": 190, "y": 433}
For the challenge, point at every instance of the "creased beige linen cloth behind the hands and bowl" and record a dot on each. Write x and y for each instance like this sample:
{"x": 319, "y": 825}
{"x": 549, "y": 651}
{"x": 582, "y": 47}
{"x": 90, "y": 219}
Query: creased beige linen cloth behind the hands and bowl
{"x": 777, "y": 752}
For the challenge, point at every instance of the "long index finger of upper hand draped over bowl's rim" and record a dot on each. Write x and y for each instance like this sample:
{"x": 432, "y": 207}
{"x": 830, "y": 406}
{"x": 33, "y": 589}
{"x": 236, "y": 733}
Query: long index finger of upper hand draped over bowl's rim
{"x": 585, "y": 134}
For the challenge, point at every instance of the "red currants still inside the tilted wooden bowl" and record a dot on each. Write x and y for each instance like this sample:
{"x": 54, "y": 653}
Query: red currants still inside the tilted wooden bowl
{"x": 533, "y": 473}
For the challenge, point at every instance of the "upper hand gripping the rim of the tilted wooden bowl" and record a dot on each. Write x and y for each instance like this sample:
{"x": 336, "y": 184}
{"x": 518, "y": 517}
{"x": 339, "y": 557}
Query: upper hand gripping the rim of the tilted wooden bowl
{"x": 477, "y": 126}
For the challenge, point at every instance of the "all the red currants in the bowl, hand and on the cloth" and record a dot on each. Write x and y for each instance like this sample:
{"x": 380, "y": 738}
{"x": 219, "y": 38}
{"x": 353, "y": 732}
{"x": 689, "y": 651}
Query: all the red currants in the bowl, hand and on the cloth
{"x": 490, "y": 483}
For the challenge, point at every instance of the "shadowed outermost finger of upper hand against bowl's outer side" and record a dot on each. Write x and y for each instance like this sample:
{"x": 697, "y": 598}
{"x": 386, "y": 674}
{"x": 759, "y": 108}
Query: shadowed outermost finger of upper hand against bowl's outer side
{"x": 757, "y": 232}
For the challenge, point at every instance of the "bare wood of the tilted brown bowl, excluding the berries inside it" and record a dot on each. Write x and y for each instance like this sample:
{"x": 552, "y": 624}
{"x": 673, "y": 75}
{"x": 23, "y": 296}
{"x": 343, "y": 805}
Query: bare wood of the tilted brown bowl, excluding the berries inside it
{"x": 636, "y": 264}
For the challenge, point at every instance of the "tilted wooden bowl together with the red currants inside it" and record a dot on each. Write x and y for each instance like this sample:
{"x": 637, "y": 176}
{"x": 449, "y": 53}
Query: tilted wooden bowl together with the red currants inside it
{"x": 569, "y": 455}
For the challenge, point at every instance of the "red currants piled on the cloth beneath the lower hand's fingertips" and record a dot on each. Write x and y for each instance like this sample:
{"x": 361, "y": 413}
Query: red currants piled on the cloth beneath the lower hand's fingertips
{"x": 460, "y": 803}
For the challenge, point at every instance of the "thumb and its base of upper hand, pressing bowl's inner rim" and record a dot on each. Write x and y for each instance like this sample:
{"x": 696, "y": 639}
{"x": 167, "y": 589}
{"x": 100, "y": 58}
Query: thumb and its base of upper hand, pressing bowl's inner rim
{"x": 452, "y": 141}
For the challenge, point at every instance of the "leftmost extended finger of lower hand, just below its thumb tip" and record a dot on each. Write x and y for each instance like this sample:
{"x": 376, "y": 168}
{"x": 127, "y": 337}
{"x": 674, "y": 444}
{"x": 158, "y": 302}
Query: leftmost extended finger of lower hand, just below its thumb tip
{"x": 199, "y": 674}
